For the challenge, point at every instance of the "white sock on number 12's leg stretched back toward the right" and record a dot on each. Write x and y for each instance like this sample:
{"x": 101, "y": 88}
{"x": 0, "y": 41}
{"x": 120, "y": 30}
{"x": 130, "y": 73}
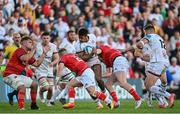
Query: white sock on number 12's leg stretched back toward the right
{"x": 160, "y": 91}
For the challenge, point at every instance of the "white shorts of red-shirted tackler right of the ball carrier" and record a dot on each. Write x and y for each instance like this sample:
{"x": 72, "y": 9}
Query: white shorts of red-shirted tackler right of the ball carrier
{"x": 120, "y": 64}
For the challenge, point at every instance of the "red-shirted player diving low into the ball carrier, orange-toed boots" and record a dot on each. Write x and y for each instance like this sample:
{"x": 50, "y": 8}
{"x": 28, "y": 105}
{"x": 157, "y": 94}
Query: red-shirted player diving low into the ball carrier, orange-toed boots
{"x": 85, "y": 77}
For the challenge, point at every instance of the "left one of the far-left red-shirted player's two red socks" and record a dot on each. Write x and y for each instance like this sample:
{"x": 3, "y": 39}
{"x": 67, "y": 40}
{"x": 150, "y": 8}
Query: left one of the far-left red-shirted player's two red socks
{"x": 21, "y": 95}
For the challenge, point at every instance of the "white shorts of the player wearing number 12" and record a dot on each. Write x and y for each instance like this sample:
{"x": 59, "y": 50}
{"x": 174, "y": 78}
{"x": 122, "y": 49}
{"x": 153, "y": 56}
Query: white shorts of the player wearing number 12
{"x": 156, "y": 68}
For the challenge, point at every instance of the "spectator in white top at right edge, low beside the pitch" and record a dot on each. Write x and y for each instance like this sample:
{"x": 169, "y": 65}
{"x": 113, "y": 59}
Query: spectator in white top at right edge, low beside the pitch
{"x": 175, "y": 71}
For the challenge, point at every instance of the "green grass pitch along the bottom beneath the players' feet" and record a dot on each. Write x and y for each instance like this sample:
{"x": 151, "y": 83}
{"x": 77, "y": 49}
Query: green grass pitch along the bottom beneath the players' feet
{"x": 127, "y": 106}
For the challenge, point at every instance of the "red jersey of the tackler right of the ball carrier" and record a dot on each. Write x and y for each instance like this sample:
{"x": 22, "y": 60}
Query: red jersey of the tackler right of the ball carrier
{"x": 108, "y": 55}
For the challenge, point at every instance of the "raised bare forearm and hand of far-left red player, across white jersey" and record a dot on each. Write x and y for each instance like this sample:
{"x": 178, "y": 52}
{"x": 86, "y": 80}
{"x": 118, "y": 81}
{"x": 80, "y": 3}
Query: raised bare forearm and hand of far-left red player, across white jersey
{"x": 38, "y": 62}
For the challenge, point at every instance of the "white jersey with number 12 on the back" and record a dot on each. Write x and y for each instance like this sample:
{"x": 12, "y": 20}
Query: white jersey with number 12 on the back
{"x": 157, "y": 46}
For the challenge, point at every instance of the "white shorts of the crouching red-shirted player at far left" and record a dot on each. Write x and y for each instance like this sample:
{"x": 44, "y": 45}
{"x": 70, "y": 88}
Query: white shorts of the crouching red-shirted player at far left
{"x": 15, "y": 81}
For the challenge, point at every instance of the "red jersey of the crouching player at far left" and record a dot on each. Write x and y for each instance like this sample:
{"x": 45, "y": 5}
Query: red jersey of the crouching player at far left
{"x": 15, "y": 65}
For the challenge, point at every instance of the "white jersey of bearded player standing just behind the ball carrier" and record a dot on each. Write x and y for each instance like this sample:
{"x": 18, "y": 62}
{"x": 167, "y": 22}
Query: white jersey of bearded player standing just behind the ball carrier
{"x": 70, "y": 47}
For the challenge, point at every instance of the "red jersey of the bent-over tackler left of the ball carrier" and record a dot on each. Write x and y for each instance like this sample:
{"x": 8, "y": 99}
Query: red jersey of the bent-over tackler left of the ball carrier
{"x": 74, "y": 63}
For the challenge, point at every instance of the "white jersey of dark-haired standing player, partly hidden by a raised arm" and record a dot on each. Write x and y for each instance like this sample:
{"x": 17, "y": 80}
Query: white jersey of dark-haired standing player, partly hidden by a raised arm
{"x": 48, "y": 58}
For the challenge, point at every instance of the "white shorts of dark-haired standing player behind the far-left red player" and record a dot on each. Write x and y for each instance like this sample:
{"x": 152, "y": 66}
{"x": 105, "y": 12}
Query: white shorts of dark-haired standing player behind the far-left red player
{"x": 44, "y": 73}
